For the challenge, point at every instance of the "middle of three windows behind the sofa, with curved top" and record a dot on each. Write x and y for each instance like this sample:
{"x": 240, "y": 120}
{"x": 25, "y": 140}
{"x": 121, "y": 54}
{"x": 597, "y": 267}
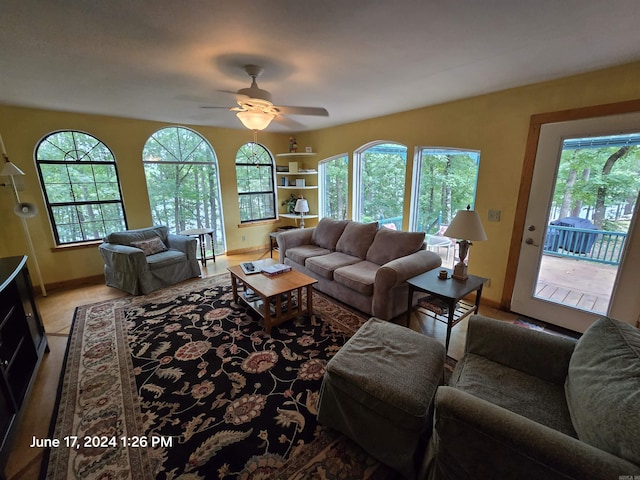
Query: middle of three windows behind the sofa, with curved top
{"x": 380, "y": 171}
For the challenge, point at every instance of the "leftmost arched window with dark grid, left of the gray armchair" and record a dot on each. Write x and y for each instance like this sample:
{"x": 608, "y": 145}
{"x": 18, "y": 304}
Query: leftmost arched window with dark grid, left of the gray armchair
{"x": 80, "y": 183}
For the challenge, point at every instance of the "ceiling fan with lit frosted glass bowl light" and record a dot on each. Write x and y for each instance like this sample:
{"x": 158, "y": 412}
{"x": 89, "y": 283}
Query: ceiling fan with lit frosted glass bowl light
{"x": 255, "y": 106}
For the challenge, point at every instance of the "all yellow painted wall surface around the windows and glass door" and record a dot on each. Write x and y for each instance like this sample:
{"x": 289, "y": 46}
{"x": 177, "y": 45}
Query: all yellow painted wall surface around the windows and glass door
{"x": 496, "y": 124}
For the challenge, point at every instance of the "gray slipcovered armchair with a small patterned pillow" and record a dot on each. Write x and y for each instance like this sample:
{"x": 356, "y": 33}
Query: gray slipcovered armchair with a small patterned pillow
{"x": 141, "y": 261}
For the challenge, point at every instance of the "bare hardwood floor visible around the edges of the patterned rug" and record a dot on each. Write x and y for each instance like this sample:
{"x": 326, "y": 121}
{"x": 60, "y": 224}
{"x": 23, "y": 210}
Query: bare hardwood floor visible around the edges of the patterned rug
{"x": 57, "y": 310}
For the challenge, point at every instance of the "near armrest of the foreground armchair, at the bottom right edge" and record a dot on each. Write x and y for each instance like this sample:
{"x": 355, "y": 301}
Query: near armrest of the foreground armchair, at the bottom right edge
{"x": 473, "y": 438}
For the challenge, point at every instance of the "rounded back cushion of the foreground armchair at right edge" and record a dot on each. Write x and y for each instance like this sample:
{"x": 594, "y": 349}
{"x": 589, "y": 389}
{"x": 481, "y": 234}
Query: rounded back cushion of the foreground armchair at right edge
{"x": 603, "y": 388}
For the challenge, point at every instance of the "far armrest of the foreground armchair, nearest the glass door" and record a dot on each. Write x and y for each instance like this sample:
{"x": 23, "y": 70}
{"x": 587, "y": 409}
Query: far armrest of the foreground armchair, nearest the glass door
{"x": 536, "y": 353}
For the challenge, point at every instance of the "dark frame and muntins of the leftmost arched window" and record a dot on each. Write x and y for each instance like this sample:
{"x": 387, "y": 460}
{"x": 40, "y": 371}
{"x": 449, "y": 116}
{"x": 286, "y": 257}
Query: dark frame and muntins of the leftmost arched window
{"x": 52, "y": 205}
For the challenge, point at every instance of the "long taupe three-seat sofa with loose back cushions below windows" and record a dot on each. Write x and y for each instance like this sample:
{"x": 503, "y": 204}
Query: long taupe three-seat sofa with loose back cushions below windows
{"x": 359, "y": 264}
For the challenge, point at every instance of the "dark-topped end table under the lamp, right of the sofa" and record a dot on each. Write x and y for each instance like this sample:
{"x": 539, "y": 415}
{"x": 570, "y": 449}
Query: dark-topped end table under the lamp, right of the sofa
{"x": 451, "y": 291}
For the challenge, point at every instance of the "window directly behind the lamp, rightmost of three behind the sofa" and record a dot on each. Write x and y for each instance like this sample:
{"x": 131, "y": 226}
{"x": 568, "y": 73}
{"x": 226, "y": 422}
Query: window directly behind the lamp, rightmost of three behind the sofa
{"x": 444, "y": 182}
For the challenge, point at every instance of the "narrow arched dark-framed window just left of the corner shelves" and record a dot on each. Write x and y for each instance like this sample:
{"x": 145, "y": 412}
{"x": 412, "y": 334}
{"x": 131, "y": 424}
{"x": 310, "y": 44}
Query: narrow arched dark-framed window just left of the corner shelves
{"x": 256, "y": 184}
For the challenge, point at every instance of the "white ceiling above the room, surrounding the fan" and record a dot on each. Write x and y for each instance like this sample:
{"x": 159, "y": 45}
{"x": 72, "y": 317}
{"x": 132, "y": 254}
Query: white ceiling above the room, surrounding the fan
{"x": 163, "y": 59}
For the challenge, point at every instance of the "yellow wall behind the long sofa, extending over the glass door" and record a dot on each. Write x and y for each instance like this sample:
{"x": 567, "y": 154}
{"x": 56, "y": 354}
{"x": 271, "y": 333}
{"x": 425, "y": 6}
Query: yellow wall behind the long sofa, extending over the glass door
{"x": 497, "y": 125}
